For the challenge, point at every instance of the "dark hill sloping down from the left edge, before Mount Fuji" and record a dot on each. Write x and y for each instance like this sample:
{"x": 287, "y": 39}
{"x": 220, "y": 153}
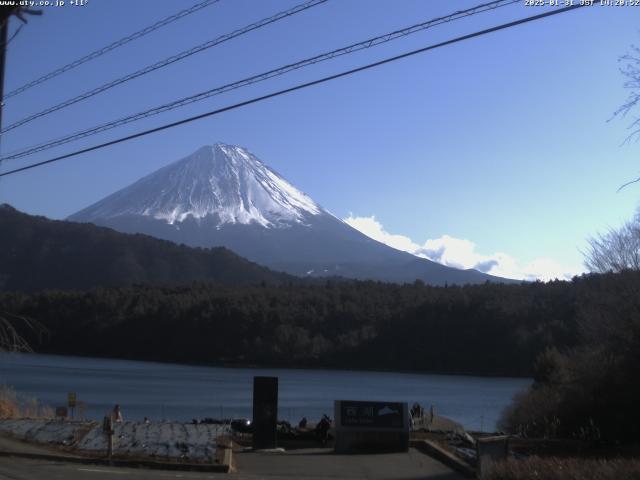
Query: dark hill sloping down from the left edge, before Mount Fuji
{"x": 37, "y": 253}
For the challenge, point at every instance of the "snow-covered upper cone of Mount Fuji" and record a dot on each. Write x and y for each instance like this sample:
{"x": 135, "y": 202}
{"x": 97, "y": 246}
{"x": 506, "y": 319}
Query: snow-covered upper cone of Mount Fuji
{"x": 224, "y": 182}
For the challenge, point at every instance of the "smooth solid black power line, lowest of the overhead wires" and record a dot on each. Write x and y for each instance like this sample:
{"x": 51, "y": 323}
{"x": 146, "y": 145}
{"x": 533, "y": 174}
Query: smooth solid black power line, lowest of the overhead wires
{"x": 298, "y": 87}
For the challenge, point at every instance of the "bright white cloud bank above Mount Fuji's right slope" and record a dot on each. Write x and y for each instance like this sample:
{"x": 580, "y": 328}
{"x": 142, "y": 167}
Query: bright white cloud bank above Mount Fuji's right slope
{"x": 461, "y": 253}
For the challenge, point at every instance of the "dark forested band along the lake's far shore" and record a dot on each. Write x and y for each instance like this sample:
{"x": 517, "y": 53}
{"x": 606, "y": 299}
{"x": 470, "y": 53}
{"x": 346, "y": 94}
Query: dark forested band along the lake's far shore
{"x": 492, "y": 329}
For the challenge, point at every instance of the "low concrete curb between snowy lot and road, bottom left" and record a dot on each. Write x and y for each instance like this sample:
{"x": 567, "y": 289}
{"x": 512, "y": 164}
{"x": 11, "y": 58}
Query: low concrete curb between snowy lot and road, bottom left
{"x": 118, "y": 462}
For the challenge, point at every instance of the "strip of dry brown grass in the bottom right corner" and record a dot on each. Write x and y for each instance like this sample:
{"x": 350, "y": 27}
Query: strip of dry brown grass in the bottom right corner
{"x": 553, "y": 468}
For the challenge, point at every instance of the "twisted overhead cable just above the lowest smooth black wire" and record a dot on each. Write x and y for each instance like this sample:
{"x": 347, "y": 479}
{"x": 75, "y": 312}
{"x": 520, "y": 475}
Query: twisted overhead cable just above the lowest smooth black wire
{"x": 371, "y": 42}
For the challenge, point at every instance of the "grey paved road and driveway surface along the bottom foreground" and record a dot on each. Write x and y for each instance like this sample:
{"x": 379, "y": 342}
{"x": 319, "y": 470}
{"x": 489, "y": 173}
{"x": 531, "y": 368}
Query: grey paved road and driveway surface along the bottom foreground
{"x": 307, "y": 464}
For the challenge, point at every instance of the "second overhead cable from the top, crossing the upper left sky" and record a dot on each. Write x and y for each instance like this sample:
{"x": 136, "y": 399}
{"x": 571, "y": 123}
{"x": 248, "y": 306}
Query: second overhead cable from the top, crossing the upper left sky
{"x": 168, "y": 61}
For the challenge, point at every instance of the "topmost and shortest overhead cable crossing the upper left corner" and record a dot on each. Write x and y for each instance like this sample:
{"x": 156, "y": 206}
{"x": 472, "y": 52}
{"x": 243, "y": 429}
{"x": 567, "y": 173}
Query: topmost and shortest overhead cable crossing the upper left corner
{"x": 111, "y": 46}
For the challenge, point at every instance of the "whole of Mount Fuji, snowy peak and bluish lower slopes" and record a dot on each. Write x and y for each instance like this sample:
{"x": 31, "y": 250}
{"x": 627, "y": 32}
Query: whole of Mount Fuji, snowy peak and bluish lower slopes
{"x": 222, "y": 195}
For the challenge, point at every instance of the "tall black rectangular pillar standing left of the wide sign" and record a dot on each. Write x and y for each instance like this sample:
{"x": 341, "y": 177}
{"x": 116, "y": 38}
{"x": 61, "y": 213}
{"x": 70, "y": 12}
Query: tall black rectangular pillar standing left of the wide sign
{"x": 265, "y": 412}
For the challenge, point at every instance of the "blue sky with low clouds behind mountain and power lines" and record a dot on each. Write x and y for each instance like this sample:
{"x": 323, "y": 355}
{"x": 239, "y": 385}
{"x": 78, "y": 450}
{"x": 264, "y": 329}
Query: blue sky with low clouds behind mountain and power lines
{"x": 497, "y": 148}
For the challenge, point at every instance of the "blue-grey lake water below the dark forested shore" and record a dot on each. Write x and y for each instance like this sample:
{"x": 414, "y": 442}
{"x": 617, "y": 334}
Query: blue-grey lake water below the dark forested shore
{"x": 183, "y": 392}
